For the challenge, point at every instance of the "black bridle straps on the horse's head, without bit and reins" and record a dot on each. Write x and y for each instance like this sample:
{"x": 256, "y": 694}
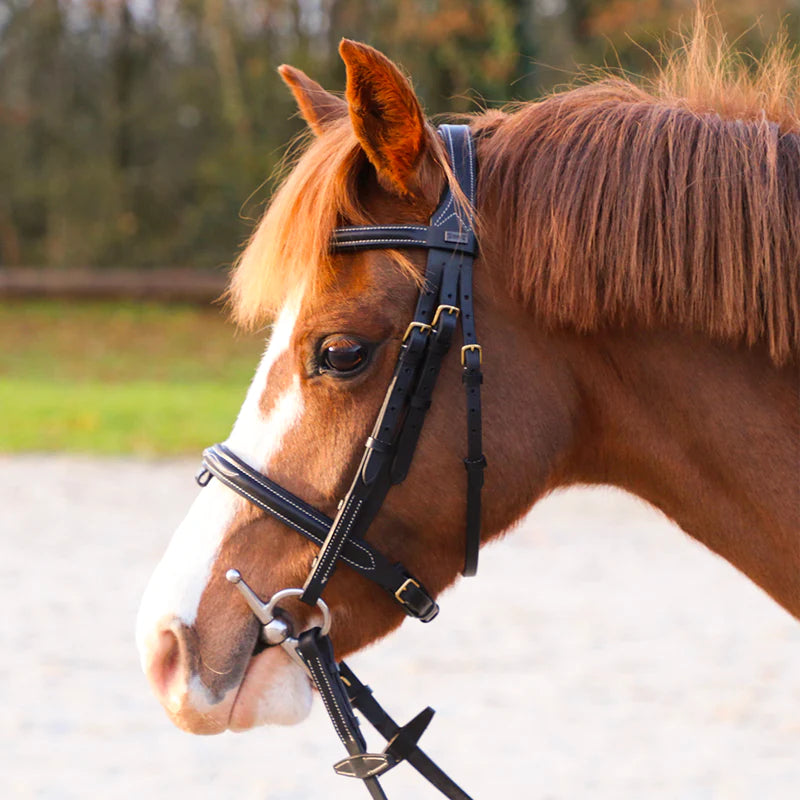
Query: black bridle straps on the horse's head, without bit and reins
{"x": 389, "y": 450}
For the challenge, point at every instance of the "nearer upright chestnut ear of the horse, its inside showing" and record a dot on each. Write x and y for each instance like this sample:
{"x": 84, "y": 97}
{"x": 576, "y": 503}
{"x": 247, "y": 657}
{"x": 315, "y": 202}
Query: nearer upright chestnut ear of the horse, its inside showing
{"x": 385, "y": 113}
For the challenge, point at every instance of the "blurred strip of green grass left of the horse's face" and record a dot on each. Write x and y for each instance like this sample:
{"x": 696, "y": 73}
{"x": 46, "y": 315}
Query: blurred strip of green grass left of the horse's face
{"x": 119, "y": 378}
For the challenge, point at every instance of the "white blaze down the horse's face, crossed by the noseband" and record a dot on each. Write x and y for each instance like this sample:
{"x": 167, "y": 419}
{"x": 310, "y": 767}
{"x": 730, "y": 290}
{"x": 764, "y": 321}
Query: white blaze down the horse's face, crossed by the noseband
{"x": 179, "y": 580}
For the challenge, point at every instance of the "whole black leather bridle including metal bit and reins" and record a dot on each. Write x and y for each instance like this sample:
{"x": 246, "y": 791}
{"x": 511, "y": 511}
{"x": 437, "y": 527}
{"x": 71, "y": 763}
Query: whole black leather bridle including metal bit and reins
{"x": 445, "y": 295}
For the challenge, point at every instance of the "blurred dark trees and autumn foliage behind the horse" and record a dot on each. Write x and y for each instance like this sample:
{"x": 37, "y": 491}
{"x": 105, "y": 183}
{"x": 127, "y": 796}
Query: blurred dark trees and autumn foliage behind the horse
{"x": 140, "y": 132}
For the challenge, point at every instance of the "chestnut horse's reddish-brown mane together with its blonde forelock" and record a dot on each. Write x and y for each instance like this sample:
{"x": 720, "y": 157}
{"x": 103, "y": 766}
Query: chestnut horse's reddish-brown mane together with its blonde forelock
{"x": 674, "y": 202}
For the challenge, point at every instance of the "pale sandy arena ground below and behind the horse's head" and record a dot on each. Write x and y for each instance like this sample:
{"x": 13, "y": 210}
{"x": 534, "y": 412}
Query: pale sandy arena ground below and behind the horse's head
{"x": 599, "y": 654}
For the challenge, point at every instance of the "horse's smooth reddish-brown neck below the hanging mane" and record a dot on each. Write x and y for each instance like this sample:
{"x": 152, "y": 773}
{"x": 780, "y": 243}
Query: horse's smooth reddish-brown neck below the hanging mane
{"x": 707, "y": 433}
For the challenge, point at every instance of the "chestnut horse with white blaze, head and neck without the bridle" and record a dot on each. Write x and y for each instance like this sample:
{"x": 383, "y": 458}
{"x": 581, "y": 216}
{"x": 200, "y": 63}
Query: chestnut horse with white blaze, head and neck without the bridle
{"x": 637, "y": 295}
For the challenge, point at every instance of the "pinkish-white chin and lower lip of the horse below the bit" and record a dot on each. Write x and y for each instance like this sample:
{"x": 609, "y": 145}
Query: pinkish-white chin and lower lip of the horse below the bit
{"x": 274, "y": 691}
